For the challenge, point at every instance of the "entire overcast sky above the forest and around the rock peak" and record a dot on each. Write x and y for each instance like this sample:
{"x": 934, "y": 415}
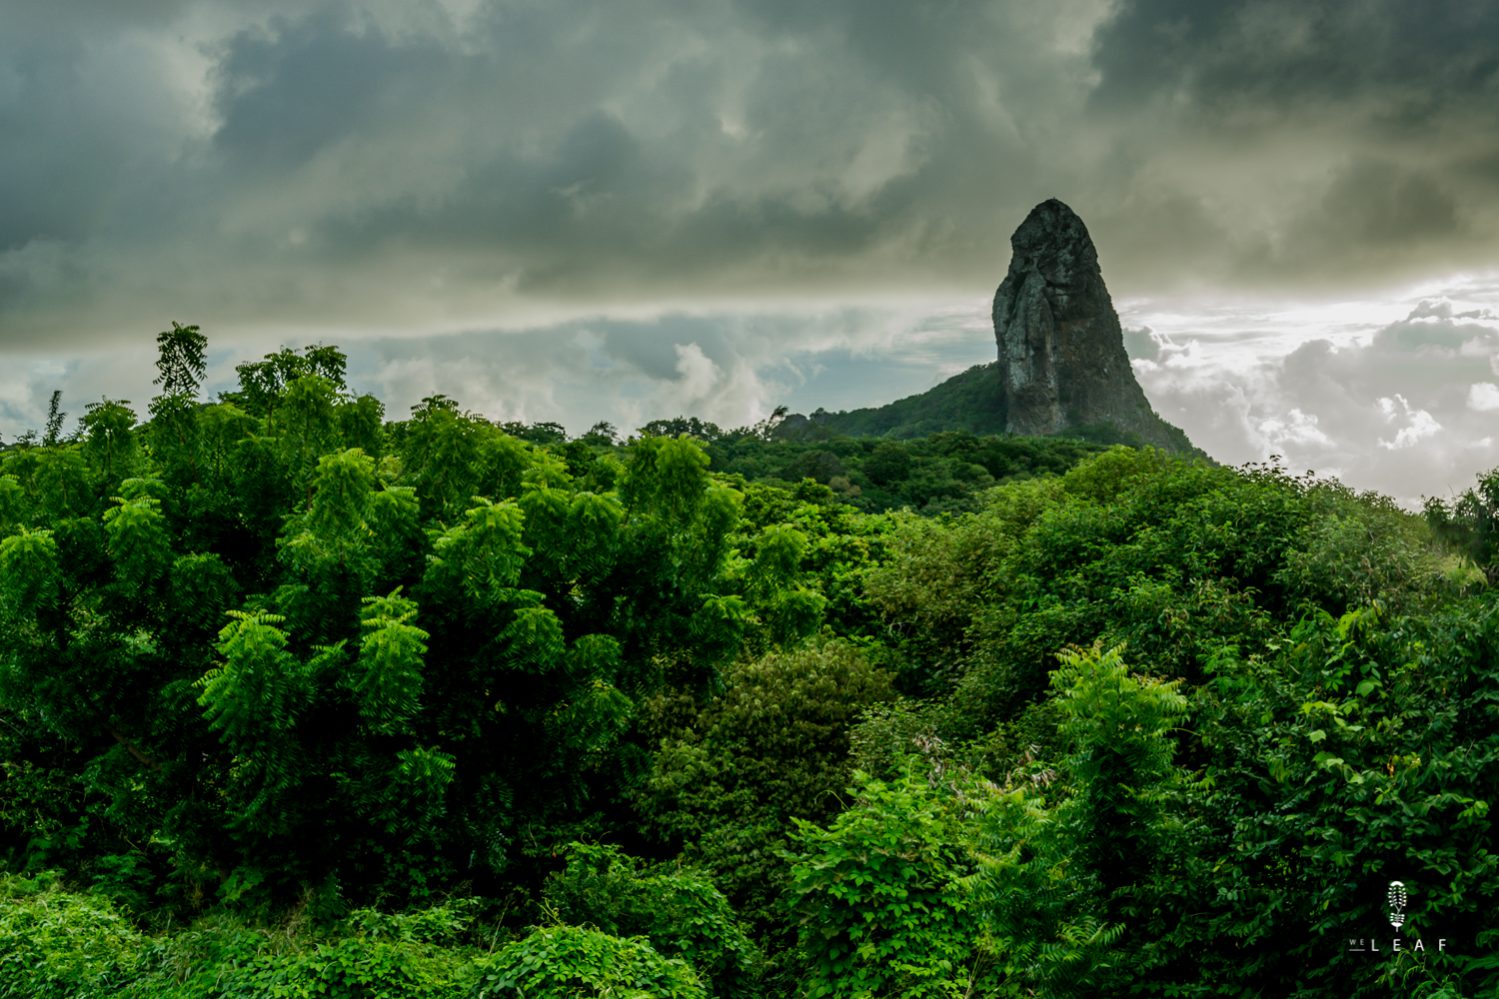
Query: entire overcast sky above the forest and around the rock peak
{"x": 579, "y": 212}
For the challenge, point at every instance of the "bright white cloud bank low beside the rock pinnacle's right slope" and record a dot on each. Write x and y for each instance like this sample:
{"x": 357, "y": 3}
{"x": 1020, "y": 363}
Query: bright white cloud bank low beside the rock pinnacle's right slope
{"x": 1407, "y": 409}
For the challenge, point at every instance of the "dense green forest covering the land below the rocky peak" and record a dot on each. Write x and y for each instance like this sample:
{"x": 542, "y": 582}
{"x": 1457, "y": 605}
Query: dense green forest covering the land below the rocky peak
{"x": 301, "y": 700}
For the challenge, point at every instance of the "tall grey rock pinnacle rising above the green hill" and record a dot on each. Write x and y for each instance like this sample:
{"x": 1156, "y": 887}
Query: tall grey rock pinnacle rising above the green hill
{"x": 1062, "y": 352}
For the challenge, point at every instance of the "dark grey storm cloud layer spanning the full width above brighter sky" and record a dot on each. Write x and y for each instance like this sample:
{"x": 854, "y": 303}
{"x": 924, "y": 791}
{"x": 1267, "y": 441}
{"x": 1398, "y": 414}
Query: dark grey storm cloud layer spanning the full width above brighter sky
{"x": 326, "y": 163}
